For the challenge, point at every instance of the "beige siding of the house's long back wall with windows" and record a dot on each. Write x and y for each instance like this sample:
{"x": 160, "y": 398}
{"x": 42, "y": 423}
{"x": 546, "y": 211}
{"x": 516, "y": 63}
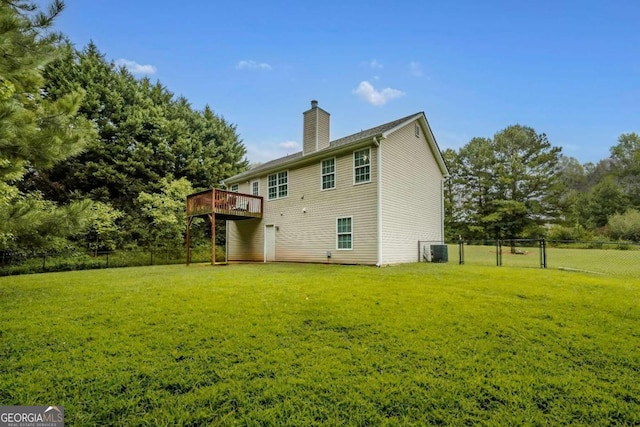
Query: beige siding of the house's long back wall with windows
{"x": 308, "y": 236}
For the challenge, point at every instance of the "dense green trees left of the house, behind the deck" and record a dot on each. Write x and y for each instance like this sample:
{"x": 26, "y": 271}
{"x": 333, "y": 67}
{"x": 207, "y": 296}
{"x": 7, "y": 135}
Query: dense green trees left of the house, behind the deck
{"x": 92, "y": 157}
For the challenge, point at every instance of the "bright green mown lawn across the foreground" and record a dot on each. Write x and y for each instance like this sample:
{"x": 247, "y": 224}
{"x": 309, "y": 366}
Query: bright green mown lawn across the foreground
{"x": 282, "y": 344}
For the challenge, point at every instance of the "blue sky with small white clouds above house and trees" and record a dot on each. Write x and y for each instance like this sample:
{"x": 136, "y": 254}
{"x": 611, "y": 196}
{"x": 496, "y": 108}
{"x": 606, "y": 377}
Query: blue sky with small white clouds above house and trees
{"x": 570, "y": 69}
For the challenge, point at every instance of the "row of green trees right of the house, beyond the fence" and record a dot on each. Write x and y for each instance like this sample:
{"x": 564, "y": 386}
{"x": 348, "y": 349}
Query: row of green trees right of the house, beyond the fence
{"x": 518, "y": 185}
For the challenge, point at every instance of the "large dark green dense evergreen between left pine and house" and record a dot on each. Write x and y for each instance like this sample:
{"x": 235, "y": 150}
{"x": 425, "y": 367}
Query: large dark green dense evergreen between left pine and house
{"x": 145, "y": 135}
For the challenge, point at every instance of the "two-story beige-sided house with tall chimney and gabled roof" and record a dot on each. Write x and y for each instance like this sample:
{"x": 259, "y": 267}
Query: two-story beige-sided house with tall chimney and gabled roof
{"x": 367, "y": 198}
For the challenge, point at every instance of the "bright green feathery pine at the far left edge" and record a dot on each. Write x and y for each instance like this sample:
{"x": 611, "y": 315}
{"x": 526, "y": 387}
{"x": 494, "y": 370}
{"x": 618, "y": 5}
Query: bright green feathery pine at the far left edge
{"x": 35, "y": 132}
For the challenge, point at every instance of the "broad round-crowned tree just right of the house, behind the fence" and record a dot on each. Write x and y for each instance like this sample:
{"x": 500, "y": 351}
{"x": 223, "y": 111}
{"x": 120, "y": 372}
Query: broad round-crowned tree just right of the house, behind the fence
{"x": 507, "y": 185}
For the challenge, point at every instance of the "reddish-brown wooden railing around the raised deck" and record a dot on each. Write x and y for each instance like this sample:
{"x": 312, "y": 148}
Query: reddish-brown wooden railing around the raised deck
{"x": 223, "y": 202}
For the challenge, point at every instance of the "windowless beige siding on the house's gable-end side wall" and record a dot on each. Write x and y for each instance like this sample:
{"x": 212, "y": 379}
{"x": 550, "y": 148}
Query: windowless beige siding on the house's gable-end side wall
{"x": 411, "y": 195}
